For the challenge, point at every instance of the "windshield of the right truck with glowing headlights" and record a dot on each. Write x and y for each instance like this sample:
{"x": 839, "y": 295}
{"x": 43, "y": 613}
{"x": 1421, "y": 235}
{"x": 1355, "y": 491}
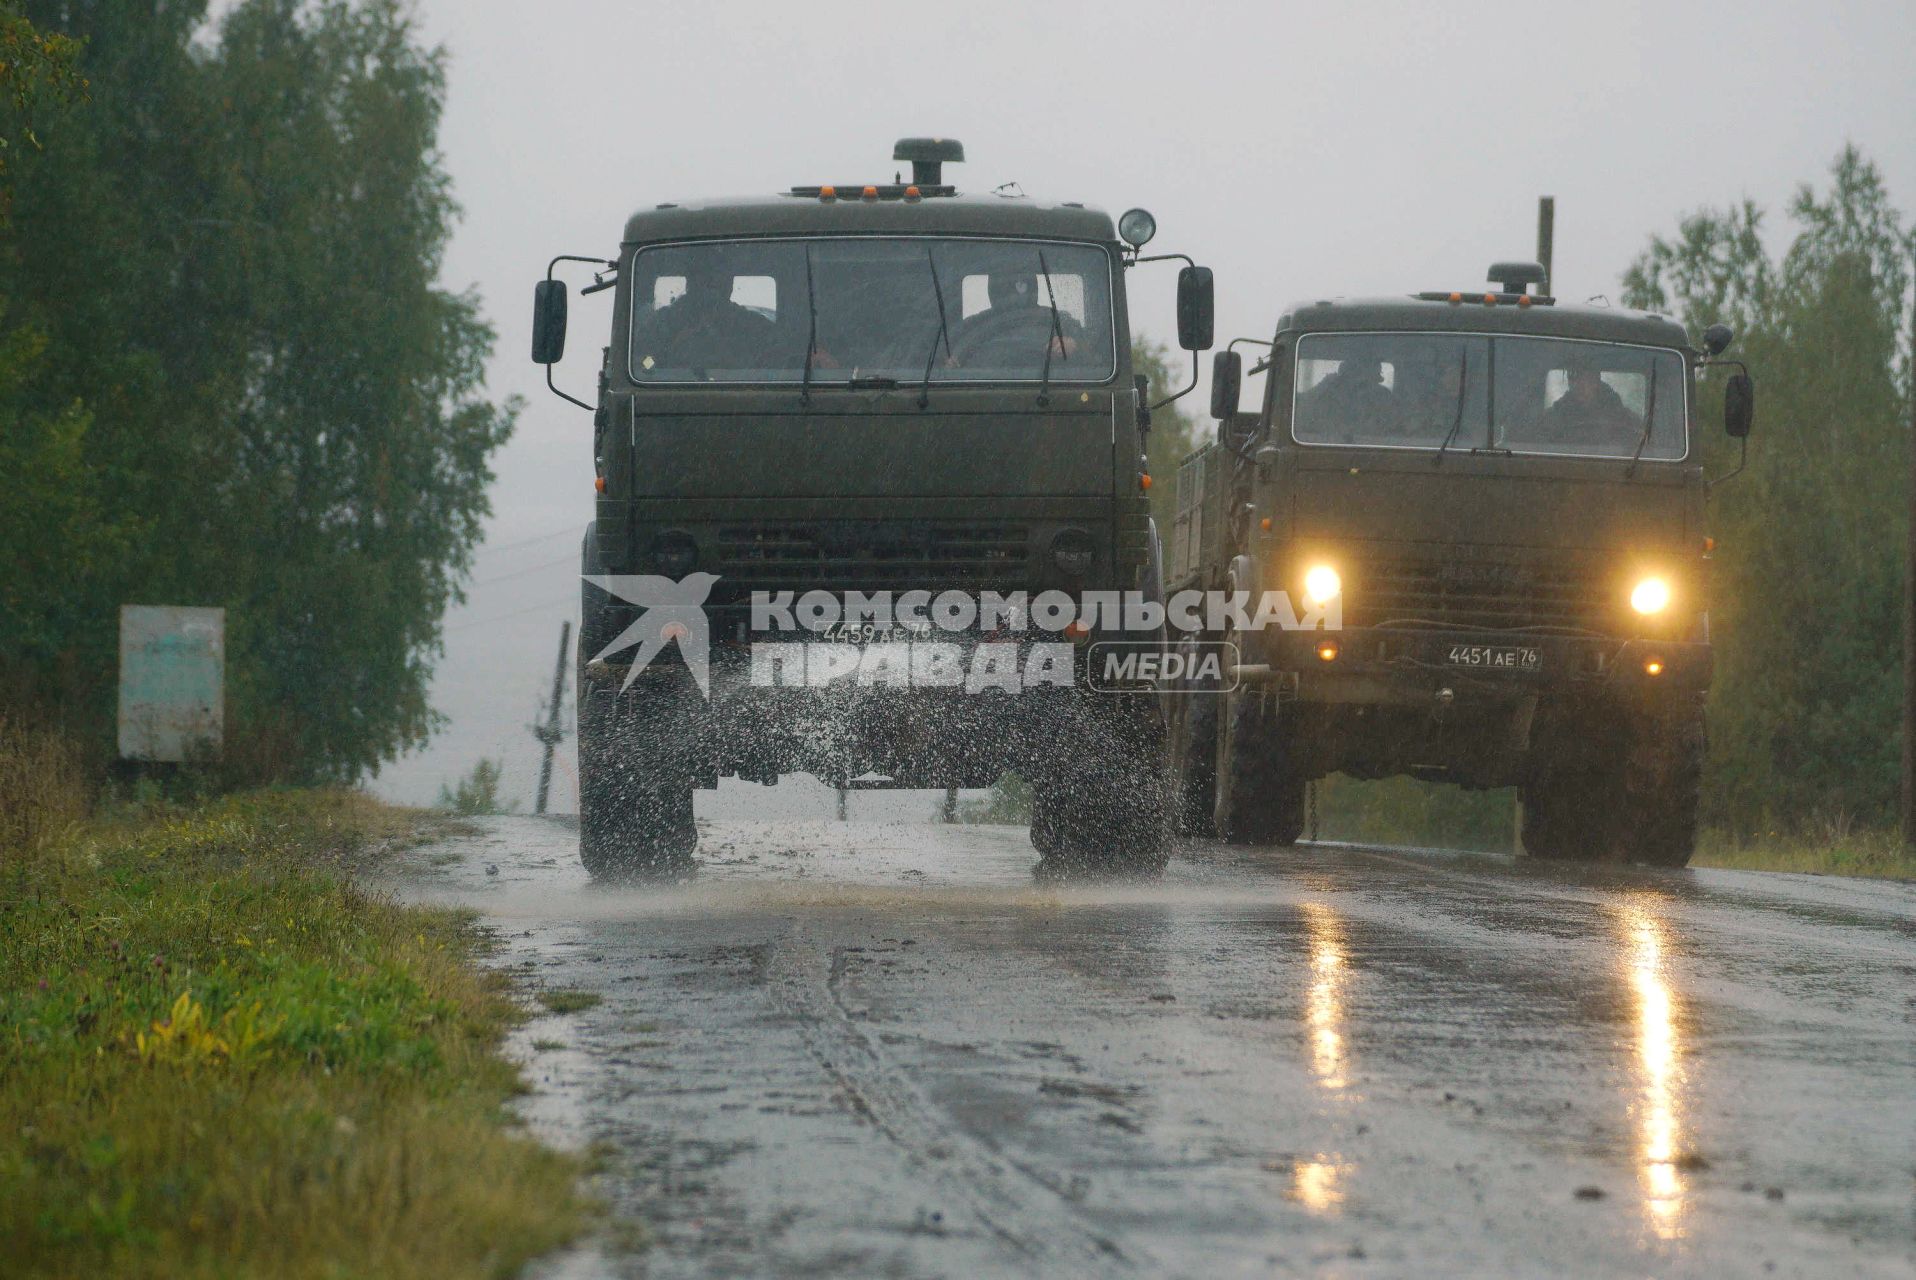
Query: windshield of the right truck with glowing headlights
{"x": 1528, "y": 396}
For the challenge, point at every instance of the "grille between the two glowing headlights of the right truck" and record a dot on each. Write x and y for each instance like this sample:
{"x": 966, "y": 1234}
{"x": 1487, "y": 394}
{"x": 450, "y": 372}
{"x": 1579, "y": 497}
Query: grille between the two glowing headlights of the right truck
{"x": 1480, "y": 595}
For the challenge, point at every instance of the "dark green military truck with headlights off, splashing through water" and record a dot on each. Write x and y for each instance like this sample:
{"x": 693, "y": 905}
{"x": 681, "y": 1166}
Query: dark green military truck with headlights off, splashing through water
{"x": 861, "y": 390}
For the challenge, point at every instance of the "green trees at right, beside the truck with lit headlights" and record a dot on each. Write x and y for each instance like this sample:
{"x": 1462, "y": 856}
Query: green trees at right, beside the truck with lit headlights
{"x": 1810, "y": 568}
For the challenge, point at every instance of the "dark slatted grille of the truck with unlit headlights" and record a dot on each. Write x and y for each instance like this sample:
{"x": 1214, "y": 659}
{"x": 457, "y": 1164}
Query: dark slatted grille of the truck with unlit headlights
{"x": 873, "y": 555}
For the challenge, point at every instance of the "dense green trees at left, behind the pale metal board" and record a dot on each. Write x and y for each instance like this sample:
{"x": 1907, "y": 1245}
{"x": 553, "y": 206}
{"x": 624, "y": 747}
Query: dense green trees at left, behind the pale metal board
{"x": 229, "y": 258}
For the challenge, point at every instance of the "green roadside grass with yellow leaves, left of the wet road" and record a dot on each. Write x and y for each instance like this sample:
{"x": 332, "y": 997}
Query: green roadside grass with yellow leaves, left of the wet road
{"x": 221, "y": 1059}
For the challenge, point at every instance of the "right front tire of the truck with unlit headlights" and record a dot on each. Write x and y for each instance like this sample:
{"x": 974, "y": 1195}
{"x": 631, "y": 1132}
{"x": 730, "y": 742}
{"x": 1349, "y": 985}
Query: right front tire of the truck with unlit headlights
{"x": 1103, "y": 811}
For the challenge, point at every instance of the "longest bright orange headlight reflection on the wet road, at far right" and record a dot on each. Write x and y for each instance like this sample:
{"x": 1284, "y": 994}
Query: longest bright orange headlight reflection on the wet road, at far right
{"x": 1660, "y": 1070}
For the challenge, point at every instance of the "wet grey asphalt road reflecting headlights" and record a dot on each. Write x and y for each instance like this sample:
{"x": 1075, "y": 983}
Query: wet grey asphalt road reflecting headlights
{"x": 888, "y": 1051}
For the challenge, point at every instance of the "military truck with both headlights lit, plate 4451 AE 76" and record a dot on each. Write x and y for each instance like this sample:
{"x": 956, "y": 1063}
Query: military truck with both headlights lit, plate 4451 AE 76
{"x": 1501, "y": 507}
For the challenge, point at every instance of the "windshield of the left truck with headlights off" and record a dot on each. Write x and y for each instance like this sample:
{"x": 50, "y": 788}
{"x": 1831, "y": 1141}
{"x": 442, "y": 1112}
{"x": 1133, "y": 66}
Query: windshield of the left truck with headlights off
{"x": 873, "y": 309}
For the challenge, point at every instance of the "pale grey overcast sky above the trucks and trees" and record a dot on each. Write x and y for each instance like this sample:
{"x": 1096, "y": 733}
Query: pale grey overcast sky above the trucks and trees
{"x": 1302, "y": 150}
